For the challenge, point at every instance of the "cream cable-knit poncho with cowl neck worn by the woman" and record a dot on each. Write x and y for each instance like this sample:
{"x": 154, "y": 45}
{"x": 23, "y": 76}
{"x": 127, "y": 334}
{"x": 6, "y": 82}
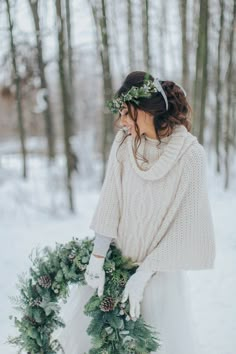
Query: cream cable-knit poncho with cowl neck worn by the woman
{"x": 158, "y": 212}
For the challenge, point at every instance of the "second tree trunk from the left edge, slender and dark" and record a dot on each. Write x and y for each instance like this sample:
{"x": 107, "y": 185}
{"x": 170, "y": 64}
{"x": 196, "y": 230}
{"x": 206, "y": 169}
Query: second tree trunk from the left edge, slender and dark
{"x": 47, "y": 112}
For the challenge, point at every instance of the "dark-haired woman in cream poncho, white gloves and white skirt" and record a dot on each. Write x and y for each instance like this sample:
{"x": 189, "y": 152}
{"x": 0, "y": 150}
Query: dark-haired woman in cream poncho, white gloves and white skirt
{"x": 154, "y": 205}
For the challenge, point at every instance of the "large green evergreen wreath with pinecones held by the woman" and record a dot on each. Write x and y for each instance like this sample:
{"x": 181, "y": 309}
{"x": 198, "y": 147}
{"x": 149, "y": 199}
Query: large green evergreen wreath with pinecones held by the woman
{"x": 51, "y": 273}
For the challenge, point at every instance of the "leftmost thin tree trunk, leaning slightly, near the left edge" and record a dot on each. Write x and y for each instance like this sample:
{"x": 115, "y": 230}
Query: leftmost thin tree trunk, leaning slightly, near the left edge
{"x": 18, "y": 90}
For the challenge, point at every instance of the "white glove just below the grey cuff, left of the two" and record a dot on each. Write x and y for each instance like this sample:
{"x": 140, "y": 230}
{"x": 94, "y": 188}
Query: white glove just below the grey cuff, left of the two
{"x": 95, "y": 274}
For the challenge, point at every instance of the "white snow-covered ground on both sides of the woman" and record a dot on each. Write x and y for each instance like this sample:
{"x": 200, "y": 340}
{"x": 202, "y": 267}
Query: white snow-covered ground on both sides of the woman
{"x": 33, "y": 213}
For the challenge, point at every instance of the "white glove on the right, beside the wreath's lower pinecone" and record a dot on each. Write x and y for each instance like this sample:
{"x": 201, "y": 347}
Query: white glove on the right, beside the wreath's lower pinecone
{"x": 134, "y": 290}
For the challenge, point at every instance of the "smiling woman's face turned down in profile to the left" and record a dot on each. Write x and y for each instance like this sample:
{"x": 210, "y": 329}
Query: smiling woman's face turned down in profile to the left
{"x": 144, "y": 121}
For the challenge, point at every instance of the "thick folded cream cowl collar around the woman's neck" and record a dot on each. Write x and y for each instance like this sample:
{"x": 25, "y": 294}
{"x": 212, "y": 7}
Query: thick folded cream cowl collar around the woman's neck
{"x": 173, "y": 148}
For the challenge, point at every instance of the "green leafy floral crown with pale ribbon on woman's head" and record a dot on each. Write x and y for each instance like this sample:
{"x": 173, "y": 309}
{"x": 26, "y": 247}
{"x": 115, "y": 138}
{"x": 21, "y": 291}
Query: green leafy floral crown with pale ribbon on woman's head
{"x": 149, "y": 87}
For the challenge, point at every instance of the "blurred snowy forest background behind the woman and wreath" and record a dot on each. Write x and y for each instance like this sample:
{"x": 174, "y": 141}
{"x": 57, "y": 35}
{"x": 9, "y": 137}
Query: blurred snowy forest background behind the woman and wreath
{"x": 60, "y": 61}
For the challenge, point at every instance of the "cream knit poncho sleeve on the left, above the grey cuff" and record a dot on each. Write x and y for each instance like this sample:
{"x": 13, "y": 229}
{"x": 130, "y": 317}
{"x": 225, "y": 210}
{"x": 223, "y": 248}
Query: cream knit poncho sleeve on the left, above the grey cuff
{"x": 106, "y": 217}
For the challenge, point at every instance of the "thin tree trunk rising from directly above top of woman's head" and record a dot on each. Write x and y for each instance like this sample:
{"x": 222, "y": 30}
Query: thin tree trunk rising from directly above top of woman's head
{"x": 146, "y": 47}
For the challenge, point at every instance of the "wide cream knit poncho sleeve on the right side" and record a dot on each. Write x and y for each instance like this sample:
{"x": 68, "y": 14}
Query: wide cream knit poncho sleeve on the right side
{"x": 187, "y": 233}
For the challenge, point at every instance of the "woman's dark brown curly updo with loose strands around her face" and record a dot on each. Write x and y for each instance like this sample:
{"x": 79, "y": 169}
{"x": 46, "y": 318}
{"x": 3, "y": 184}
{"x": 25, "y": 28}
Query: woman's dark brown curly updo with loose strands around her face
{"x": 179, "y": 111}
